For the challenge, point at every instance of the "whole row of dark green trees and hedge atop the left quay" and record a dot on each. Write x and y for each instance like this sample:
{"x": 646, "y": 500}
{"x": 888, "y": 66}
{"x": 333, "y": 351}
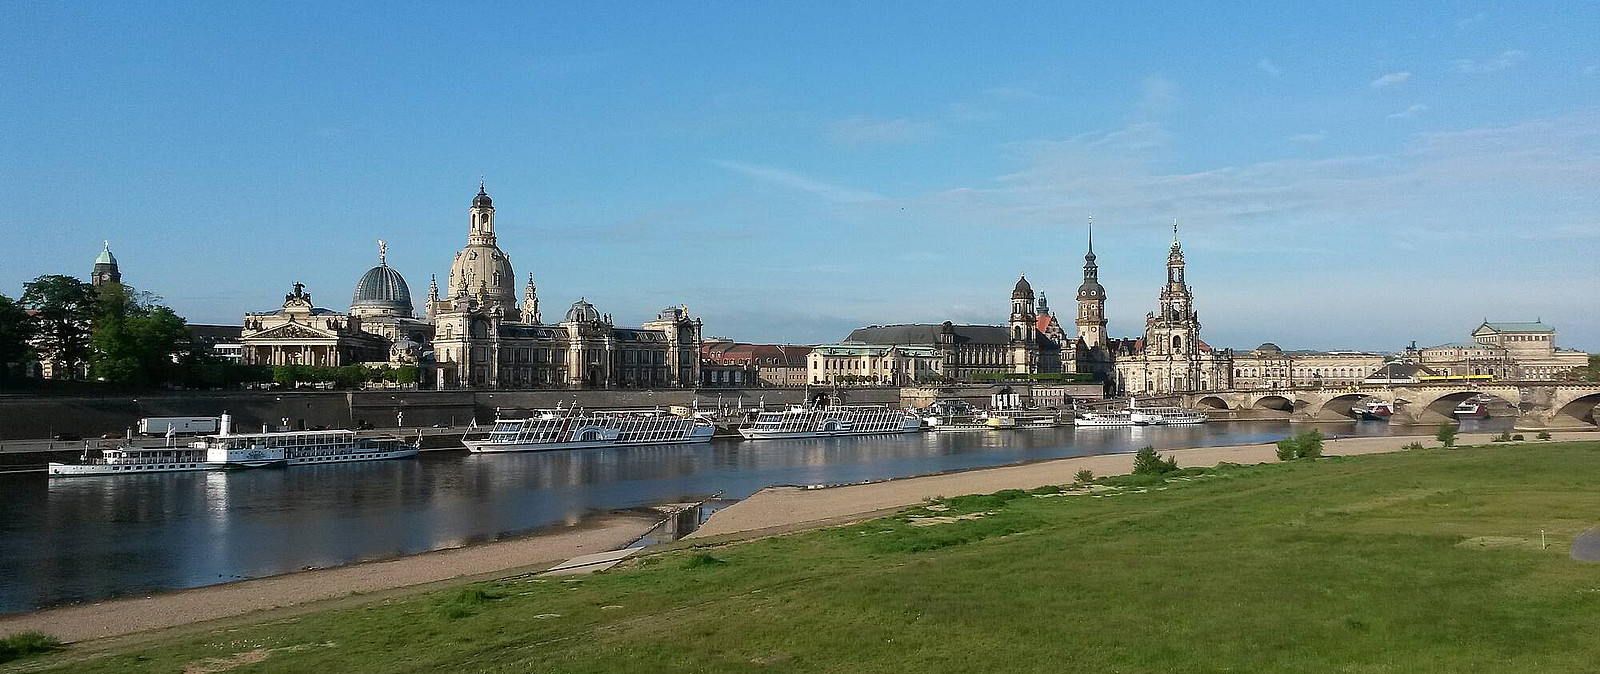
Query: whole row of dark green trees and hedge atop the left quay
{"x": 119, "y": 335}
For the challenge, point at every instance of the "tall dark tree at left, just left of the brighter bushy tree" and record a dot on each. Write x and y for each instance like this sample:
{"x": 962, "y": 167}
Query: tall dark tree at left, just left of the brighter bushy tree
{"x": 63, "y": 319}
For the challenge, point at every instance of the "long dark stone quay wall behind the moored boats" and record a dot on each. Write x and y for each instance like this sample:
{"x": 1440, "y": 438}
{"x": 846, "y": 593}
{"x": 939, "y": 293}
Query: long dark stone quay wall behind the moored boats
{"x": 26, "y": 417}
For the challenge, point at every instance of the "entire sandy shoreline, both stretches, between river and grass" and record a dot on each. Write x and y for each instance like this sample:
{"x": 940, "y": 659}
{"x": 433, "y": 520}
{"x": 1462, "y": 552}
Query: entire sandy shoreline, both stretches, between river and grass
{"x": 770, "y": 512}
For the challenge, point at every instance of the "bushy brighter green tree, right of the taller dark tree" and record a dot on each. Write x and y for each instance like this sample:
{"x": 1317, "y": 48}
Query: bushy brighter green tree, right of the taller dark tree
{"x": 137, "y": 342}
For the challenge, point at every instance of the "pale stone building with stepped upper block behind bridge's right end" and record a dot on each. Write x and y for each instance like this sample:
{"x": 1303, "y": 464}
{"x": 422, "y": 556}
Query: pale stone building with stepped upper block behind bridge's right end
{"x": 1505, "y": 351}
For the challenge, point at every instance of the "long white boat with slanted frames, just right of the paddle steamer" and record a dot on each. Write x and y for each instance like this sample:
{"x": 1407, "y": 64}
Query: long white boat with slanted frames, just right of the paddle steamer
{"x": 577, "y": 430}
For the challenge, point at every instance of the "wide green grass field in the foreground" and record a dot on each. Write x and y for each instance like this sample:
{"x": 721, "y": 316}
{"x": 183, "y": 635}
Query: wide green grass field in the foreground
{"x": 1410, "y": 563}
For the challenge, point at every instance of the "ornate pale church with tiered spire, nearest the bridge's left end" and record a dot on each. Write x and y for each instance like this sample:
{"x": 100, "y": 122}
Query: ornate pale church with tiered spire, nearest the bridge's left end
{"x": 1172, "y": 358}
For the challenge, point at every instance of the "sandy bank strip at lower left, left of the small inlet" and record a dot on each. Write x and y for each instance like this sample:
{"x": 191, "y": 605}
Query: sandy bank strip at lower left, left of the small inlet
{"x": 121, "y": 617}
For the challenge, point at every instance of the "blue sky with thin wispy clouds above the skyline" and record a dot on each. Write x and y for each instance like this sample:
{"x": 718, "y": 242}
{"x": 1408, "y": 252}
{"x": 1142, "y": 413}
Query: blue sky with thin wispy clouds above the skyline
{"x": 1346, "y": 175}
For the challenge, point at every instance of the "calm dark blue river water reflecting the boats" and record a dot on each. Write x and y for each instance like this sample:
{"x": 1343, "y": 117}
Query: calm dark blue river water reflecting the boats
{"x": 90, "y": 539}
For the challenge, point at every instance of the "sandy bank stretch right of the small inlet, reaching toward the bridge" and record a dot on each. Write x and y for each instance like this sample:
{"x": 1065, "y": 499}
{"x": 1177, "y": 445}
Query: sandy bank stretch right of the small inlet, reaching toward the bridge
{"x": 778, "y": 510}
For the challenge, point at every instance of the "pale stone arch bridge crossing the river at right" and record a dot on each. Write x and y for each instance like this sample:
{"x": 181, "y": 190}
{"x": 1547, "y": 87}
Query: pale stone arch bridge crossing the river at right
{"x": 1540, "y": 406}
